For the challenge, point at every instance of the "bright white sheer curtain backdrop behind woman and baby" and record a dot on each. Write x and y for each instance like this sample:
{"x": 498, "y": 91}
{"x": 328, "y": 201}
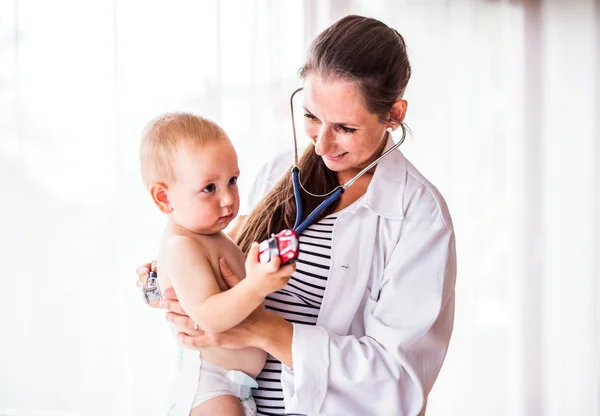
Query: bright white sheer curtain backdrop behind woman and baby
{"x": 504, "y": 105}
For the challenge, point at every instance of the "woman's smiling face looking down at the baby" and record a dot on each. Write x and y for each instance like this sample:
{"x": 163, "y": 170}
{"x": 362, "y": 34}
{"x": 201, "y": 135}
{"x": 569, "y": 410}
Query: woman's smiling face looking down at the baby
{"x": 345, "y": 134}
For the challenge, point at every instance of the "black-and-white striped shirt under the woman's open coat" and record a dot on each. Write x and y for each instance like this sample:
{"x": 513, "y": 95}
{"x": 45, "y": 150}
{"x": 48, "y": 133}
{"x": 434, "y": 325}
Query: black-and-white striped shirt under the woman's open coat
{"x": 298, "y": 302}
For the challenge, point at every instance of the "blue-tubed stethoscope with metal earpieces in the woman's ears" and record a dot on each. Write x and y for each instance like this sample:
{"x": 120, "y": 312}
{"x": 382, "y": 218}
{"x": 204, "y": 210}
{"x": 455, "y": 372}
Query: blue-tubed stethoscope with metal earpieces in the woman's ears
{"x": 299, "y": 225}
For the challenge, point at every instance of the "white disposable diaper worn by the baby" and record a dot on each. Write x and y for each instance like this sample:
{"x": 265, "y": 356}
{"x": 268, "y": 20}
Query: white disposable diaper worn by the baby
{"x": 197, "y": 381}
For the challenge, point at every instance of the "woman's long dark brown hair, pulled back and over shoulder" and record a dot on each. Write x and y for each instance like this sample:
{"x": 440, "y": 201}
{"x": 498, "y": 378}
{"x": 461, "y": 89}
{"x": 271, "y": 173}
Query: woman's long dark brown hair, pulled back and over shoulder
{"x": 357, "y": 49}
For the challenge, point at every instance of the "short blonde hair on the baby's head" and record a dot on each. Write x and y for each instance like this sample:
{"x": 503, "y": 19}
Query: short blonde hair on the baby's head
{"x": 164, "y": 134}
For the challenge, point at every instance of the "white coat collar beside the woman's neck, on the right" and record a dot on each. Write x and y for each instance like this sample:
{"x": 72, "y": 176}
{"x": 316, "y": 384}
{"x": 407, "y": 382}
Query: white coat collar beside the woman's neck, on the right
{"x": 385, "y": 193}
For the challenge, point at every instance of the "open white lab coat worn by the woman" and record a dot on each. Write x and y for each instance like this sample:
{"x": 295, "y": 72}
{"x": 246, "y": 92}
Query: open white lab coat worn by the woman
{"x": 388, "y": 309}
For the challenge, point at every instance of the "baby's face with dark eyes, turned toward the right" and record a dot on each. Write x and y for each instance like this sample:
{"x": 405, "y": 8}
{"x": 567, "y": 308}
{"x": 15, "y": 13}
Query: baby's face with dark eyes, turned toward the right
{"x": 204, "y": 195}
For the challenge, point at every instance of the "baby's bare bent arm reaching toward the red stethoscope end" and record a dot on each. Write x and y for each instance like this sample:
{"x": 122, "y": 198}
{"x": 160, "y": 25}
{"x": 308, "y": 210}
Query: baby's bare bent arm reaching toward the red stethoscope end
{"x": 194, "y": 282}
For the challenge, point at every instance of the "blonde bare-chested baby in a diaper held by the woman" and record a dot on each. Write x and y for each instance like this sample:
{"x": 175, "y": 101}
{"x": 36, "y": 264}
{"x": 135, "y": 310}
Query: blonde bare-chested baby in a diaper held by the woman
{"x": 190, "y": 168}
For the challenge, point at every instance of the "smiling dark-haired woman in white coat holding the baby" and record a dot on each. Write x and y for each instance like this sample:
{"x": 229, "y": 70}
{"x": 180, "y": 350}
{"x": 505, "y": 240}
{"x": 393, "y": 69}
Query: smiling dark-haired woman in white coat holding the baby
{"x": 364, "y": 324}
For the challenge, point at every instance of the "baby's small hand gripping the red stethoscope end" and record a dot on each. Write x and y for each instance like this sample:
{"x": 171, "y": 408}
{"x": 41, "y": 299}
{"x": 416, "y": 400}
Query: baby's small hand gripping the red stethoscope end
{"x": 267, "y": 277}
